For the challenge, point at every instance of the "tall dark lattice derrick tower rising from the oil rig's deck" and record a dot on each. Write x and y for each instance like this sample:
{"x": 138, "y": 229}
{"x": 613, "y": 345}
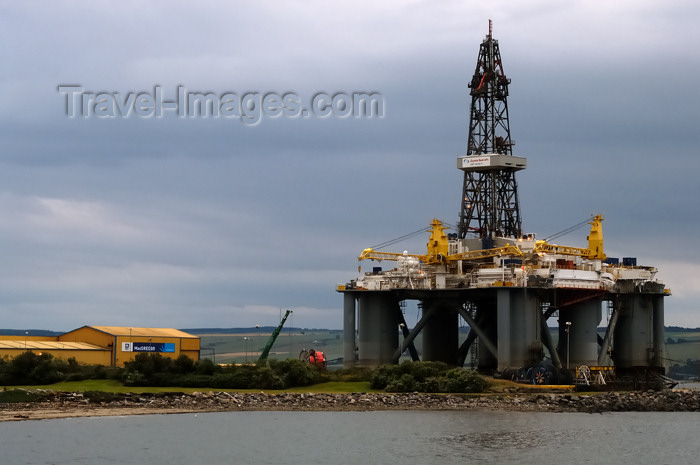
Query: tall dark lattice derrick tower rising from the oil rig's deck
{"x": 490, "y": 206}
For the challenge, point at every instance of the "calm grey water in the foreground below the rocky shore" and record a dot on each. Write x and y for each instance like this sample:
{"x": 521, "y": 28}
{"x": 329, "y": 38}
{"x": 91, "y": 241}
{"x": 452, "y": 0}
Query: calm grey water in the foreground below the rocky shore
{"x": 357, "y": 438}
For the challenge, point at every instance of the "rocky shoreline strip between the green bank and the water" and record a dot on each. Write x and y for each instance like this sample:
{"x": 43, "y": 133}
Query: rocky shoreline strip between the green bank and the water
{"x": 49, "y": 404}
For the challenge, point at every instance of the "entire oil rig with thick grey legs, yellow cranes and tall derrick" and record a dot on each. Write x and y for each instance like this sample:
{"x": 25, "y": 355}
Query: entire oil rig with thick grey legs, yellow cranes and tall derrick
{"x": 511, "y": 289}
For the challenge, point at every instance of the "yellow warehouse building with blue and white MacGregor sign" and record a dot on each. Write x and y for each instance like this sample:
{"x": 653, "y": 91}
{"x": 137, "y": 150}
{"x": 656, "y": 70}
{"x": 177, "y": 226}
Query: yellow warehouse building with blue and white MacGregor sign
{"x": 105, "y": 345}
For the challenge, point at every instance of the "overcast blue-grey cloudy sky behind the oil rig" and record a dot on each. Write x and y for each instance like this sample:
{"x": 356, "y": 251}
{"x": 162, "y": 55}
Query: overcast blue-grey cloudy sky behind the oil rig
{"x": 198, "y": 222}
